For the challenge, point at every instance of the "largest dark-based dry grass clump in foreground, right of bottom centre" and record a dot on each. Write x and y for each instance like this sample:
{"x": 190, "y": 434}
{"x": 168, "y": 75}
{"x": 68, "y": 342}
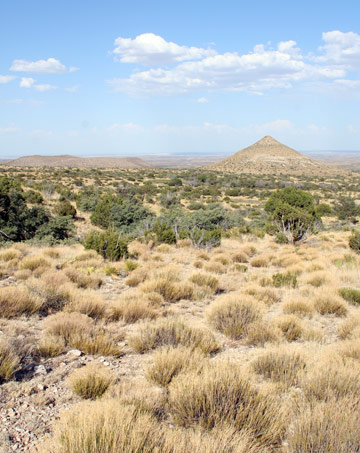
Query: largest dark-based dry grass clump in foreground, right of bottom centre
{"x": 223, "y": 394}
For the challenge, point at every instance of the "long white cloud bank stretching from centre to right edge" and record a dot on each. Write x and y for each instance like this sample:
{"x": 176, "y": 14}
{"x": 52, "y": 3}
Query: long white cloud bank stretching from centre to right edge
{"x": 262, "y": 69}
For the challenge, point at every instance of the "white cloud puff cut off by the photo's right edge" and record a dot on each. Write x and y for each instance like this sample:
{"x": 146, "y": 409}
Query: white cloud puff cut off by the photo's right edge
{"x": 341, "y": 49}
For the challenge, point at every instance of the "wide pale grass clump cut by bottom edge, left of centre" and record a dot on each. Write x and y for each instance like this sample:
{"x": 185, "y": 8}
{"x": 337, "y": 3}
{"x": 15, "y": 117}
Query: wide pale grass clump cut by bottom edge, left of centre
{"x": 105, "y": 426}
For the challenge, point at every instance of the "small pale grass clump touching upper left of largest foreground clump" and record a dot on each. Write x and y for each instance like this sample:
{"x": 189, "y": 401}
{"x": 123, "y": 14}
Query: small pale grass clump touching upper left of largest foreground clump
{"x": 168, "y": 362}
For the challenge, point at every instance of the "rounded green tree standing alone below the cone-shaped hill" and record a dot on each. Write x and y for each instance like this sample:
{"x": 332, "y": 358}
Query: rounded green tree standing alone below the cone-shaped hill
{"x": 292, "y": 213}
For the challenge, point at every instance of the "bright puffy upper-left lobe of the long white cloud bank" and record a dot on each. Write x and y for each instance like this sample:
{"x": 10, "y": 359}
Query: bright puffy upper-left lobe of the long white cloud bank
{"x": 153, "y": 50}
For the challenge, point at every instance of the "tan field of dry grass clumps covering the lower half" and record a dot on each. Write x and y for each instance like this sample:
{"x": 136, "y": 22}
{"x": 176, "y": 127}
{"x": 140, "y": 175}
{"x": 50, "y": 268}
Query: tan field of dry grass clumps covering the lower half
{"x": 180, "y": 350}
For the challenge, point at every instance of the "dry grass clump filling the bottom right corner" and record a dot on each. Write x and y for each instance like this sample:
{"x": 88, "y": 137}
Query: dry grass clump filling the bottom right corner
{"x": 331, "y": 426}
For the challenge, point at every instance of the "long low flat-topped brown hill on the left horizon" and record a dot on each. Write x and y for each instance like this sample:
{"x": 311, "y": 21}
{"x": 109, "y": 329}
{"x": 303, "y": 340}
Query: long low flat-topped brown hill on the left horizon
{"x": 79, "y": 162}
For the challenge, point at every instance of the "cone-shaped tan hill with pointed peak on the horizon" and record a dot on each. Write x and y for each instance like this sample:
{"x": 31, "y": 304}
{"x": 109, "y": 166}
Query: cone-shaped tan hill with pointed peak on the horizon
{"x": 268, "y": 156}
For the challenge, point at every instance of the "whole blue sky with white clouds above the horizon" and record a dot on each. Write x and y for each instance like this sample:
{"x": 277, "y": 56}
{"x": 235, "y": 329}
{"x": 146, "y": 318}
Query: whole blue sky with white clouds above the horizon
{"x": 106, "y": 78}
